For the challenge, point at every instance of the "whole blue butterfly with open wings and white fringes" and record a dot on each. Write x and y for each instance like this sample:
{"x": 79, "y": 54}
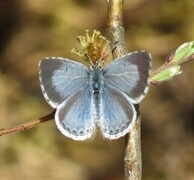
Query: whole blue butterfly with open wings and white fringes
{"x": 85, "y": 98}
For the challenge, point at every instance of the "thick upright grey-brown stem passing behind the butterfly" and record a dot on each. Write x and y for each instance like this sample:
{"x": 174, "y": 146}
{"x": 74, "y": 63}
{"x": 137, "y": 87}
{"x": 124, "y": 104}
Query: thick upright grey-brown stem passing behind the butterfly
{"x": 133, "y": 163}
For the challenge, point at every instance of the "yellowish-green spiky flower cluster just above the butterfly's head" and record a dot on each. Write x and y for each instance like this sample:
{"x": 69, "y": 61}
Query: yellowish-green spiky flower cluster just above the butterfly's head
{"x": 93, "y": 49}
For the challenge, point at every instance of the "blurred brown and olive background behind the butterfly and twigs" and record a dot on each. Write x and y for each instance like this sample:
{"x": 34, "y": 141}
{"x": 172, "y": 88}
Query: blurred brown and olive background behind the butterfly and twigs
{"x": 31, "y": 30}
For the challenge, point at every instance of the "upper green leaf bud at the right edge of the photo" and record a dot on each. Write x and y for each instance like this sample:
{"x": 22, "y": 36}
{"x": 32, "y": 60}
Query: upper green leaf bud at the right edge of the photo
{"x": 183, "y": 51}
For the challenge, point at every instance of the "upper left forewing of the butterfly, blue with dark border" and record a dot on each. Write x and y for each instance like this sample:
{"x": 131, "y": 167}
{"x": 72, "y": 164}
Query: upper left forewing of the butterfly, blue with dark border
{"x": 59, "y": 78}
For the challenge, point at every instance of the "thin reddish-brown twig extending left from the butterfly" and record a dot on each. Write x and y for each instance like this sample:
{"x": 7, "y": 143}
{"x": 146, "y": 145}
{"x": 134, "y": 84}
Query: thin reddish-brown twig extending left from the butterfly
{"x": 28, "y": 125}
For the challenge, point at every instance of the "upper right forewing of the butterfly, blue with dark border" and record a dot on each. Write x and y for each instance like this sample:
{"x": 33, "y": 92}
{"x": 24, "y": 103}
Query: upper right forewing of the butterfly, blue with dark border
{"x": 129, "y": 74}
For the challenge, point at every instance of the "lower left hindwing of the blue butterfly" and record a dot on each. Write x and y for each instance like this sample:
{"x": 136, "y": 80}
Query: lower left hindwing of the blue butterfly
{"x": 74, "y": 117}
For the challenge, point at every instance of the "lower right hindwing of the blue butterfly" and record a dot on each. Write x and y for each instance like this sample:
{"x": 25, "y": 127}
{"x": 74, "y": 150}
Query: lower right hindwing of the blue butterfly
{"x": 118, "y": 113}
